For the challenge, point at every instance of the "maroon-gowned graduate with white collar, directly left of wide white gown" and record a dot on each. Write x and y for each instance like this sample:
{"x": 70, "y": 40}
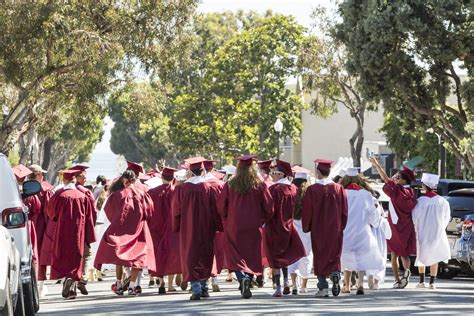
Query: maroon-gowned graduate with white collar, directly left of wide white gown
{"x": 324, "y": 214}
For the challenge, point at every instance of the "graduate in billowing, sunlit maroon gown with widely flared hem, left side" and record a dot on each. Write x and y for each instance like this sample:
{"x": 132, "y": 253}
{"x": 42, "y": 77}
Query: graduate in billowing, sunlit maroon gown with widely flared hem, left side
{"x": 127, "y": 242}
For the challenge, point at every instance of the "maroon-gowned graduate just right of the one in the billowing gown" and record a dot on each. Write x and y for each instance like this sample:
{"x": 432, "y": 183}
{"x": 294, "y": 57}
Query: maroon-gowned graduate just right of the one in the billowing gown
{"x": 165, "y": 242}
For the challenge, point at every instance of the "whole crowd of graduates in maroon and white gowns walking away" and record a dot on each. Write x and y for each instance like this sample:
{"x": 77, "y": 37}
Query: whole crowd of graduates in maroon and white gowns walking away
{"x": 261, "y": 214}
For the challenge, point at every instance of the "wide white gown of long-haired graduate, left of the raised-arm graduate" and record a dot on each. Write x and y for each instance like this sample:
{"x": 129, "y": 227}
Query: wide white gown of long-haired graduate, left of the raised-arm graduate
{"x": 360, "y": 250}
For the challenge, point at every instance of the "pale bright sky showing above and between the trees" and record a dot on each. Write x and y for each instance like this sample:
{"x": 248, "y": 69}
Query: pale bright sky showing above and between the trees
{"x": 103, "y": 161}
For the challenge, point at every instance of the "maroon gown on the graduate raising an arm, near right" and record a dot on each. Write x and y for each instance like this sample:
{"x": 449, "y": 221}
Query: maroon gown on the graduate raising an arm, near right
{"x": 403, "y": 241}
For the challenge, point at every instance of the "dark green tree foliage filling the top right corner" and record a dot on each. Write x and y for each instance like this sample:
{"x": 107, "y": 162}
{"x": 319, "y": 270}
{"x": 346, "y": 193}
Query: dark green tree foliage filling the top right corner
{"x": 407, "y": 55}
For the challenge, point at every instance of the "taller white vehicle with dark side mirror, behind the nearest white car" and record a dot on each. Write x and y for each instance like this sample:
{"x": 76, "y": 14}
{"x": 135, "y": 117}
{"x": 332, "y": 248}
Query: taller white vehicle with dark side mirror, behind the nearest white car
{"x": 14, "y": 217}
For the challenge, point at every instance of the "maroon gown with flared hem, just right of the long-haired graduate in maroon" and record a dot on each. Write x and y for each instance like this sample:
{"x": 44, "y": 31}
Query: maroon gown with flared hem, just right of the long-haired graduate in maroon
{"x": 282, "y": 243}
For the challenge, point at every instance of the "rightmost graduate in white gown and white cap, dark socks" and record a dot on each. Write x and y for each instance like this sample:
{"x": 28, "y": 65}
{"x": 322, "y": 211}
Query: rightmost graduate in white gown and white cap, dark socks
{"x": 431, "y": 217}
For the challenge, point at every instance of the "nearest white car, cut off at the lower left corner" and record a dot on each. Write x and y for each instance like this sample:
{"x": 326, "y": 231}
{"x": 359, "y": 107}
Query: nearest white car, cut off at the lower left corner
{"x": 10, "y": 281}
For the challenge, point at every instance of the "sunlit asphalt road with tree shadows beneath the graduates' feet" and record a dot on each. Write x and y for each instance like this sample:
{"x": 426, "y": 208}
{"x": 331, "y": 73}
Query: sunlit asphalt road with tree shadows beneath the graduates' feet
{"x": 454, "y": 296}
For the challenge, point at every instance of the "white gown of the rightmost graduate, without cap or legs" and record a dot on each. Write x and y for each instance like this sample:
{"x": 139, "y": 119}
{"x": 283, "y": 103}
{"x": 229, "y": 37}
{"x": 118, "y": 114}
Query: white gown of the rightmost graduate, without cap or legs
{"x": 431, "y": 217}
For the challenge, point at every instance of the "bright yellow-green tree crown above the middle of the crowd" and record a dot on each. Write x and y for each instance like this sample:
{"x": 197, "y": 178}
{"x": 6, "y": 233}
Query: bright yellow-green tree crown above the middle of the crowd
{"x": 242, "y": 92}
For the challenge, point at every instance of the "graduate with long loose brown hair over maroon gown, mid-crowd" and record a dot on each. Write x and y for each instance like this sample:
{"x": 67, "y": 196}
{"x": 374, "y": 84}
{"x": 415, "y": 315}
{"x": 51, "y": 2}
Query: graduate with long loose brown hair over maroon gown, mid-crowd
{"x": 245, "y": 205}
